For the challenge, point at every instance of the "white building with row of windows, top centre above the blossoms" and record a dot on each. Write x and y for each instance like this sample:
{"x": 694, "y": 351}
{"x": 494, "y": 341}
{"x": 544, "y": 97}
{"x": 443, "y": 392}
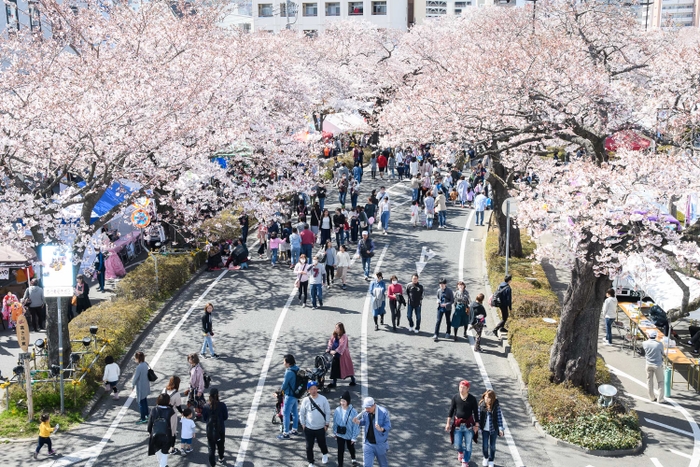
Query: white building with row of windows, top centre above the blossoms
{"x": 312, "y": 16}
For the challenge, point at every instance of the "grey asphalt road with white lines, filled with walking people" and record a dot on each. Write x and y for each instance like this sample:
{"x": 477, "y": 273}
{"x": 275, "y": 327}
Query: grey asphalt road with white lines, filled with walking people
{"x": 256, "y": 323}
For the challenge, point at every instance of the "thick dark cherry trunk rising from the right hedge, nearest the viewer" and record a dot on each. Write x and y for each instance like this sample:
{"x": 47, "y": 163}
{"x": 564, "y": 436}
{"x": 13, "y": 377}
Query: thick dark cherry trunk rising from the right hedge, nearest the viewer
{"x": 573, "y": 355}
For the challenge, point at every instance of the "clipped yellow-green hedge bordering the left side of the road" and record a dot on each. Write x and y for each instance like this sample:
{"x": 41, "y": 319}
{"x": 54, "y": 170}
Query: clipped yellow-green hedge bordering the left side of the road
{"x": 118, "y": 321}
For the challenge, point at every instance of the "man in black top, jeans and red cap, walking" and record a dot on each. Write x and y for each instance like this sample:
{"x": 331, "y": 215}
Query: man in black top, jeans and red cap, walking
{"x": 463, "y": 422}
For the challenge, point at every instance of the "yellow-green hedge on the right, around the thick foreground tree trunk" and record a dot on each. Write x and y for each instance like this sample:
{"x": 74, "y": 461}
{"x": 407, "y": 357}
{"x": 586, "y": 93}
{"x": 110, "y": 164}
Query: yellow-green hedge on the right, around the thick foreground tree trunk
{"x": 565, "y": 412}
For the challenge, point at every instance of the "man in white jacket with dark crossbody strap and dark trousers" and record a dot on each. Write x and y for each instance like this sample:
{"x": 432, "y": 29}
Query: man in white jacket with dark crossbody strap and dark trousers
{"x": 315, "y": 417}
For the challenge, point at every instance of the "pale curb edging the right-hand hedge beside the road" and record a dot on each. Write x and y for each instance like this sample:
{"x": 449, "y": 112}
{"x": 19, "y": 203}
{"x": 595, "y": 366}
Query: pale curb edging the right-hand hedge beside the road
{"x": 522, "y": 387}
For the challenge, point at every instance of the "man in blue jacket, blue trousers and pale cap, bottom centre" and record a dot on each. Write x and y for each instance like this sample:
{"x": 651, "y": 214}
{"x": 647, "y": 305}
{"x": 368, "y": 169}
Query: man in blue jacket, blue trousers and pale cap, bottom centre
{"x": 377, "y": 425}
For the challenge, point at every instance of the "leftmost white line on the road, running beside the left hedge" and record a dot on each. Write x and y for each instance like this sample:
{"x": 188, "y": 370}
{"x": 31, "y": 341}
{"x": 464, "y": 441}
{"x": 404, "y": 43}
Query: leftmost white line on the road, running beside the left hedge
{"x": 93, "y": 452}
